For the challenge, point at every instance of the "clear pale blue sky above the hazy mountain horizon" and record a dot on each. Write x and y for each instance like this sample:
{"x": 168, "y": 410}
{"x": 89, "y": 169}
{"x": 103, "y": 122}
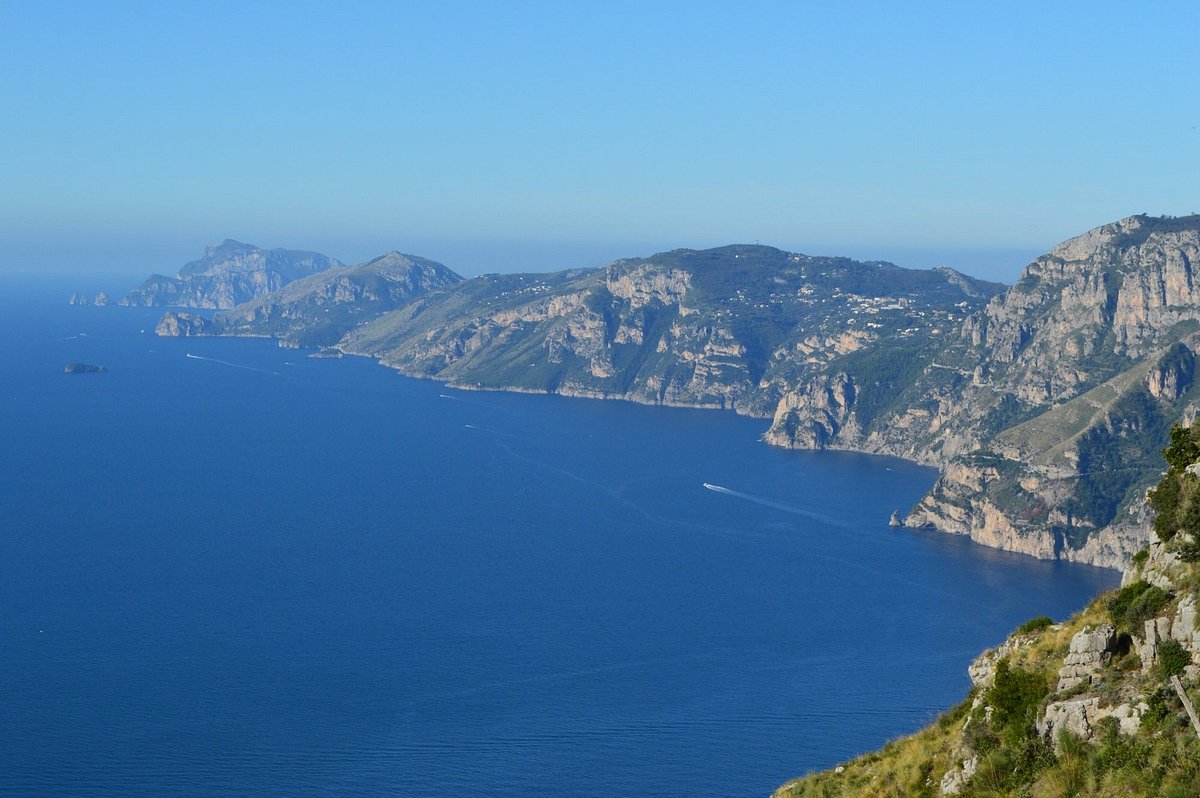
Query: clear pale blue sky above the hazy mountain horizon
{"x": 497, "y": 136}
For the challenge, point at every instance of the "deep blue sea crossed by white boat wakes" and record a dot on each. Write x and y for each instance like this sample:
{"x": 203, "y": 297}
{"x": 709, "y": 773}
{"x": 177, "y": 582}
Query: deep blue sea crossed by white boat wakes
{"x": 227, "y": 569}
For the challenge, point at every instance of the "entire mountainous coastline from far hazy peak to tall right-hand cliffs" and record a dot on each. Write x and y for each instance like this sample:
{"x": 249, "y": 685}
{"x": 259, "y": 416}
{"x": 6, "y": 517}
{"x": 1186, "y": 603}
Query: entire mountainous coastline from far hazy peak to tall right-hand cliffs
{"x": 1045, "y": 404}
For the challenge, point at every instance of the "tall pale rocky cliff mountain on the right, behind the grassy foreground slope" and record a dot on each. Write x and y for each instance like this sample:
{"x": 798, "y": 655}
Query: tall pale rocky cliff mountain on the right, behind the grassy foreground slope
{"x": 1075, "y": 371}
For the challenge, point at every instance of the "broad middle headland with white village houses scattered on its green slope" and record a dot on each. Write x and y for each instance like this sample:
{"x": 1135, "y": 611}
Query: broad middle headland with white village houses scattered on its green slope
{"x": 733, "y": 328}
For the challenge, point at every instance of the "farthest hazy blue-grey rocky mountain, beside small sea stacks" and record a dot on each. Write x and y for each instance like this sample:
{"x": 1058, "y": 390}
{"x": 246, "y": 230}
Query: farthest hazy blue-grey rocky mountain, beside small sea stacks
{"x": 229, "y": 274}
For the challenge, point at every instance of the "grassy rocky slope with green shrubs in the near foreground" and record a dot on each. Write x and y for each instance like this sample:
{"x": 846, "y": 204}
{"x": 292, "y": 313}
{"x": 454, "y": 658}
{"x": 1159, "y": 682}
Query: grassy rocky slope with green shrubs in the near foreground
{"x": 1085, "y": 709}
